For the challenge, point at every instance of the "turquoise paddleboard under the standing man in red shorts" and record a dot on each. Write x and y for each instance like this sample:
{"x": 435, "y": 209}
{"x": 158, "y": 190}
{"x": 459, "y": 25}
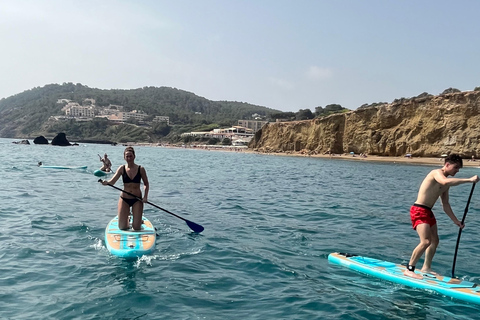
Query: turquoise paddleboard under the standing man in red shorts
{"x": 451, "y": 287}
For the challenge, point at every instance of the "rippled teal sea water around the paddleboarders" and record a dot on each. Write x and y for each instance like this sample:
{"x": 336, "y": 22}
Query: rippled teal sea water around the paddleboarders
{"x": 270, "y": 222}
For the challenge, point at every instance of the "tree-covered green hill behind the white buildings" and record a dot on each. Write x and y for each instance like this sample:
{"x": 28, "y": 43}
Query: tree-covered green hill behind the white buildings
{"x": 28, "y": 114}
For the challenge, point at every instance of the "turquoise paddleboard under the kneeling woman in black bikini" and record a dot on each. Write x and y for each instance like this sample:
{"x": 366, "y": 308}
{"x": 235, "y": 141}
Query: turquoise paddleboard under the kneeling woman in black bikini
{"x": 130, "y": 243}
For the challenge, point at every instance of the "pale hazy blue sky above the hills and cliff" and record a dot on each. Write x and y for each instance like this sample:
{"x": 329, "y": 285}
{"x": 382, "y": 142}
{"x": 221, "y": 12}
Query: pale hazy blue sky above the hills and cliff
{"x": 281, "y": 54}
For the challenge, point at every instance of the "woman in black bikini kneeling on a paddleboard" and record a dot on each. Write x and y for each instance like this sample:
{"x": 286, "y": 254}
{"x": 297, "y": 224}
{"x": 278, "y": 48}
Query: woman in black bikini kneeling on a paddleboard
{"x": 132, "y": 174}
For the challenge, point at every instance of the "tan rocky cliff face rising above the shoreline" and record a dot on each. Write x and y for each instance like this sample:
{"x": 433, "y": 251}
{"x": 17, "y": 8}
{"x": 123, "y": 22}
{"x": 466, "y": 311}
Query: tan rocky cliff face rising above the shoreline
{"x": 427, "y": 126}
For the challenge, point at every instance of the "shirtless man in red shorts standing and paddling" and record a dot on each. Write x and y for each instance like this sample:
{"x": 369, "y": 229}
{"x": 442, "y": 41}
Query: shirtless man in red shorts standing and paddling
{"x": 436, "y": 184}
